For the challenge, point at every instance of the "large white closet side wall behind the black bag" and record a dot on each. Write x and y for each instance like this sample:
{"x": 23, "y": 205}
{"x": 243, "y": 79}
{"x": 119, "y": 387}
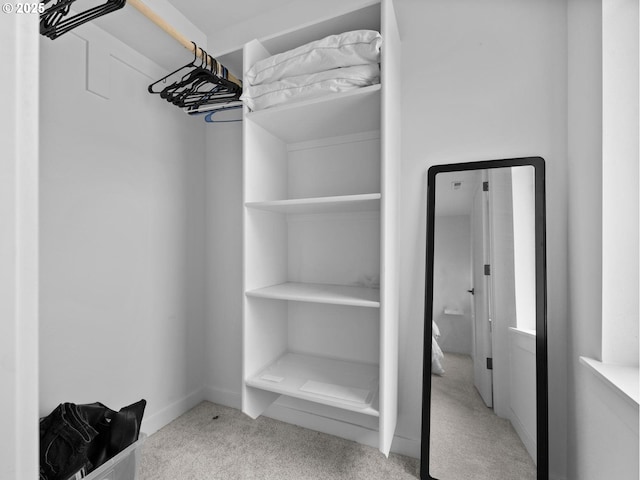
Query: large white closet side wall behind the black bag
{"x": 122, "y": 233}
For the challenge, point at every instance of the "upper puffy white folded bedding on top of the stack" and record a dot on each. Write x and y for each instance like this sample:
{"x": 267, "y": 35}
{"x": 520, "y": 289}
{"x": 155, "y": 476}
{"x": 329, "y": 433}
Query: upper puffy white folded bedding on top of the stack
{"x": 357, "y": 47}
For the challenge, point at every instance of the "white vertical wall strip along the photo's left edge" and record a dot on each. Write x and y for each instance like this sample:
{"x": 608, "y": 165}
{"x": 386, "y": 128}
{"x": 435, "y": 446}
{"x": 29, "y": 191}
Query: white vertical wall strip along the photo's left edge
{"x": 19, "y": 247}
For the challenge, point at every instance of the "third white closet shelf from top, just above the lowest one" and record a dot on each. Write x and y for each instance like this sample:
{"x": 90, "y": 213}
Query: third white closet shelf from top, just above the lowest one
{"x": 321, "y": 293}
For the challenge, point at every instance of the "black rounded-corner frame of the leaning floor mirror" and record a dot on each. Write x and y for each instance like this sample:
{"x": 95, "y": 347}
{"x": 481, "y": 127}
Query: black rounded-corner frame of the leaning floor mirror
{"x": 542, "y": 407}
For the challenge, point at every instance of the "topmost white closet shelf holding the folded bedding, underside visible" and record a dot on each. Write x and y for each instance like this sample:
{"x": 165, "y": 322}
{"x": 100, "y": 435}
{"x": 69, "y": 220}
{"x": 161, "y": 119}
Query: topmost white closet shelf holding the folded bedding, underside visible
{"x": 333, "y": 115}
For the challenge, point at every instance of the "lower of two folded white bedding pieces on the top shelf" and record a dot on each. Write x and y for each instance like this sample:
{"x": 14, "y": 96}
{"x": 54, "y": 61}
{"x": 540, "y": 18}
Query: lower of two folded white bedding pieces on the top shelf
{"x": 305, "y": 87}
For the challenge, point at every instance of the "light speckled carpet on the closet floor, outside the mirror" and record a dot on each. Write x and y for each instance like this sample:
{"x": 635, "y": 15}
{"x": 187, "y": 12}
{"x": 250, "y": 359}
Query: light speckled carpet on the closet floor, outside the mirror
{"x": 196, "y": 446}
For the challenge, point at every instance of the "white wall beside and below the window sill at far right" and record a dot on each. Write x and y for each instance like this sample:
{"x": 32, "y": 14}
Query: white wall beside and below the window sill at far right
{"x": 603, "y": 434}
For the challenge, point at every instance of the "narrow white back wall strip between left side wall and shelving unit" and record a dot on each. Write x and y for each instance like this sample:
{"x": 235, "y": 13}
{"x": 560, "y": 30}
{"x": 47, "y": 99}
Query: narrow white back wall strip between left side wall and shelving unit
{"x": 224, "y": 263}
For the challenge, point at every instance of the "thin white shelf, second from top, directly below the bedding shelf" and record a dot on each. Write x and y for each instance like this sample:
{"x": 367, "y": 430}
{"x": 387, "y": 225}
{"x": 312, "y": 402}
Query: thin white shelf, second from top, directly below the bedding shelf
{"x": 337, "y": 204}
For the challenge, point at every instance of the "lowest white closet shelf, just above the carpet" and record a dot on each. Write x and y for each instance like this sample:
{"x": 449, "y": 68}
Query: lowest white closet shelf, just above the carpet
{"x": 338, "y": 383}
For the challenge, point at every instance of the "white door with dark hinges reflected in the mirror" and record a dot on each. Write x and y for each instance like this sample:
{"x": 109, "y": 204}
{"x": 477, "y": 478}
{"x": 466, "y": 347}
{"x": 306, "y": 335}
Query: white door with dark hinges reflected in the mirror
{"x": 482, "y": 376}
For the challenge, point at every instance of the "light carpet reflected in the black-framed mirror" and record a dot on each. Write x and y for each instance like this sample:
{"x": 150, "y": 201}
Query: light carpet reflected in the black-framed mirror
{"x": 468, "y": 441}
